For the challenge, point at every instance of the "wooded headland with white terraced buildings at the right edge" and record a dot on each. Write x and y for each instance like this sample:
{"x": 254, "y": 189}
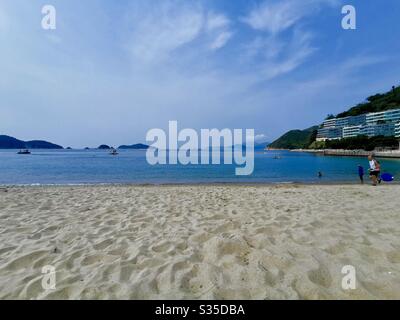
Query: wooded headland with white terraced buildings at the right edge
{"x": 310, "y": 139}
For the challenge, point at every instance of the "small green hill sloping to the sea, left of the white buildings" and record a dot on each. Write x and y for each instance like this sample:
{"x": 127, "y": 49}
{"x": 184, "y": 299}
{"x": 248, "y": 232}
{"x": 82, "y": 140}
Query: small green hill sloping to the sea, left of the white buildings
{"x": 295, "y": 139}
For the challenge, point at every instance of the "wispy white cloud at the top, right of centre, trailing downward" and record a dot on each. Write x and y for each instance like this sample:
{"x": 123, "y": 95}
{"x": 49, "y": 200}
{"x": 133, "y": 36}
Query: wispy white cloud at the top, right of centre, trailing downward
{"x": 279, "y": 54}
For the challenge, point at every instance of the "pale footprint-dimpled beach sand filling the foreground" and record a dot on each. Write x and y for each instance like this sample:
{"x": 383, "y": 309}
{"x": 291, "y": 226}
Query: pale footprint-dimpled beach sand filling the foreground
{"x": 200, "y": 242}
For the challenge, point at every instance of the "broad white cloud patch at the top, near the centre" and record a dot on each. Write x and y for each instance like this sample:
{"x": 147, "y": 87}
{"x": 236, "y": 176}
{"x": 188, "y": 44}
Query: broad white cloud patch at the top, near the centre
{"x": 159, "y": 30}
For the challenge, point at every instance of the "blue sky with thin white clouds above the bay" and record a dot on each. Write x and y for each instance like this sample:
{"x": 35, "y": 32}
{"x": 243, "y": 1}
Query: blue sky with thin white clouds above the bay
{"x": 112, "y": 70}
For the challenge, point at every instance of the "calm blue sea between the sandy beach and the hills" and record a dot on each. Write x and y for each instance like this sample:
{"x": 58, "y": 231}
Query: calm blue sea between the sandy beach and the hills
{"x": 130, "y": 166}
